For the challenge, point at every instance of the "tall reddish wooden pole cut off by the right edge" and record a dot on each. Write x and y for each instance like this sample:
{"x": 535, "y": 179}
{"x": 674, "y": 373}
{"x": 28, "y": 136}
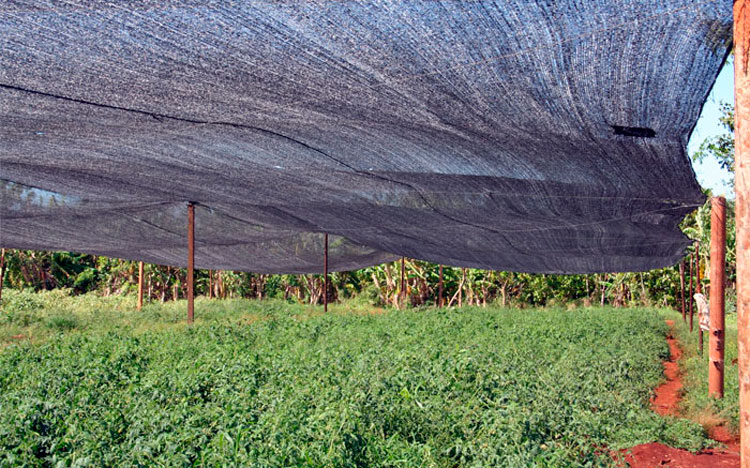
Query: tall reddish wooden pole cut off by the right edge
{"x": 742, "y": 214}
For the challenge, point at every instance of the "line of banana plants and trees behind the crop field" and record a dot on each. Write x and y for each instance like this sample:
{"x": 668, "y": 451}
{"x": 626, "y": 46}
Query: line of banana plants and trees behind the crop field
{"x": 378, "y": 285}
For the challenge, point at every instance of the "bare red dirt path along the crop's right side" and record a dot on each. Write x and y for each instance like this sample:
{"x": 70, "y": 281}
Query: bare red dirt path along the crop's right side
{"x": 665, "y": 403}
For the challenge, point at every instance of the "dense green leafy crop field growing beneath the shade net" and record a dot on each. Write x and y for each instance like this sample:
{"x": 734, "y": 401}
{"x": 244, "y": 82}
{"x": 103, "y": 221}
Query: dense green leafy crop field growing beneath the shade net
{"x": 87, "y": 381}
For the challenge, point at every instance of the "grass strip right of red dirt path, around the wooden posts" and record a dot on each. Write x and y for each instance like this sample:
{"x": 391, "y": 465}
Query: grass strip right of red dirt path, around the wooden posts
{"x": 696, "y": 404}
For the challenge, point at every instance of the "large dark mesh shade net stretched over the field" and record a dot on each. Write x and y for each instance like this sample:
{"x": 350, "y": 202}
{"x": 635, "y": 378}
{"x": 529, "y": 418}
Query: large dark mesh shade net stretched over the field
{"x": 514, "y": 135}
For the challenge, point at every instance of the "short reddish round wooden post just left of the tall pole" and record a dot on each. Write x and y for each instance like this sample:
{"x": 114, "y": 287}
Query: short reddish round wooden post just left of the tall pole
{"x": 716, "y": 297}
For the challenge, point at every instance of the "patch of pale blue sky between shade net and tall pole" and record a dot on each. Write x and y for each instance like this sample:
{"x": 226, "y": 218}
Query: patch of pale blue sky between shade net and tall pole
{"x": 709, "y": 173}
